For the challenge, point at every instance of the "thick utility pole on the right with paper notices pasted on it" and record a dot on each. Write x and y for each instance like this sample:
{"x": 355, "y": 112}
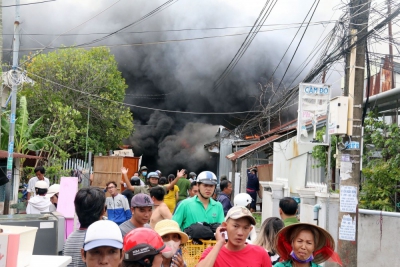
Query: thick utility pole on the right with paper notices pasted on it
{"x": 354, "y": 87}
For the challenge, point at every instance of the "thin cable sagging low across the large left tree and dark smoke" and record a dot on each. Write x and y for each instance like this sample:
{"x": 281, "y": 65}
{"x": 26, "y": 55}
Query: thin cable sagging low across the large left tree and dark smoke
{"x": 141, "y": 107}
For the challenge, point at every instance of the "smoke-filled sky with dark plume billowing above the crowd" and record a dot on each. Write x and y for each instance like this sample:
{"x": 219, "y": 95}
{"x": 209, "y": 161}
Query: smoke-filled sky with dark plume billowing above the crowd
{"x": 179, "y": 76}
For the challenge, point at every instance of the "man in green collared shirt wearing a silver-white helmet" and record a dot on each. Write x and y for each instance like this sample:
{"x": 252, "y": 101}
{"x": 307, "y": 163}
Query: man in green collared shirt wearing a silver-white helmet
{"x": 200, "y": 208}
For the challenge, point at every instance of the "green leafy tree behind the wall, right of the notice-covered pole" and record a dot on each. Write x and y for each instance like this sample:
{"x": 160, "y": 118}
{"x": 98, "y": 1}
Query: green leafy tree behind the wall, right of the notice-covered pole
{"x": 380, "y": 189}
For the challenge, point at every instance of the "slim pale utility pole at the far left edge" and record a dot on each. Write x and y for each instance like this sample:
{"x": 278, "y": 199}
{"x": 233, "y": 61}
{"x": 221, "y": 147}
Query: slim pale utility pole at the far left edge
{"x": 6, "y": 209}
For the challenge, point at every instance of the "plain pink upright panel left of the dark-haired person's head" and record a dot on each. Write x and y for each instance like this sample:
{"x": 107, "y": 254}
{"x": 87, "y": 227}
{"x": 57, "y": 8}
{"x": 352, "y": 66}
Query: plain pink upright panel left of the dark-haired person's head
{"x": 66, "y": 196}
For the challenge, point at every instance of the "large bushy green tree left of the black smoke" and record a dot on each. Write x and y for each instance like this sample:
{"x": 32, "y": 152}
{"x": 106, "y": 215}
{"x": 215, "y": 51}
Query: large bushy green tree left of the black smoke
{"x": 69, "y": 84}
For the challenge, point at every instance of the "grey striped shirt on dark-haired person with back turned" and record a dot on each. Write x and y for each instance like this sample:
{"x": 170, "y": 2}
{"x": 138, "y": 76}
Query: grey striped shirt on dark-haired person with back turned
{"x": 72, "y": 247}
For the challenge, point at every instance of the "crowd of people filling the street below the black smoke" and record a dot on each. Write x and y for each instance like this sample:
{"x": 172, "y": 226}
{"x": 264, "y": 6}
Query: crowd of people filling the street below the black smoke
{"x": 147, "y": 224}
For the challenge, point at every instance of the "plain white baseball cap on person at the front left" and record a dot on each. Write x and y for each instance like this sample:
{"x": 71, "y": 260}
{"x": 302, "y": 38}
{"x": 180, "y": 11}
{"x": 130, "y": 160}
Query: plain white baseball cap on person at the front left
{"x": 103, "y": 233}
